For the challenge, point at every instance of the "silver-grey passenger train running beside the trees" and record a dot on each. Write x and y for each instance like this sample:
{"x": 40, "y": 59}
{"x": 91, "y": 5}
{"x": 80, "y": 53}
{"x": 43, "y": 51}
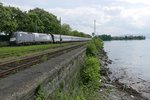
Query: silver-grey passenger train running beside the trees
{"x": 21, "y": 38}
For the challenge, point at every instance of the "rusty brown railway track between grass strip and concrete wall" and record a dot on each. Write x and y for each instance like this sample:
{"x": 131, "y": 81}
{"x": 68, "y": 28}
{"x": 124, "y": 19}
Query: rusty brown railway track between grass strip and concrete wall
{"x": 12, "y": 67}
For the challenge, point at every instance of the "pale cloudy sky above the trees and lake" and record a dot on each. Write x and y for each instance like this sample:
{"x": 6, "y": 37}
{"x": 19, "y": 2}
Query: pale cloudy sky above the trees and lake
{"x": 114, "y": 17}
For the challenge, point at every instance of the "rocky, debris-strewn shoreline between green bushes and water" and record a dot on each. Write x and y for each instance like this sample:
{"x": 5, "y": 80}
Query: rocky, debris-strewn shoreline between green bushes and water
{"x": 117, "y": 90}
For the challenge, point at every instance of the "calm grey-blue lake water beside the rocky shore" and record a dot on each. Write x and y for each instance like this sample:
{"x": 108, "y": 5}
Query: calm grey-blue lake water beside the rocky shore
{"x": 131, "y": 63}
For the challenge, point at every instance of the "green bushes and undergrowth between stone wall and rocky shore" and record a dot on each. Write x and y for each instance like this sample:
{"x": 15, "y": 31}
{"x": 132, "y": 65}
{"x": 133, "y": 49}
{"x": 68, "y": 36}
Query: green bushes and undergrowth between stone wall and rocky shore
{"x": 89, "y": 81}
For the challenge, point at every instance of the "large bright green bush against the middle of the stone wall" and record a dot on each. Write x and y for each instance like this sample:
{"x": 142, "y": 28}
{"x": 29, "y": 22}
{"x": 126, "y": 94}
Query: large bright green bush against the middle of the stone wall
{"x": 90, "y": 74}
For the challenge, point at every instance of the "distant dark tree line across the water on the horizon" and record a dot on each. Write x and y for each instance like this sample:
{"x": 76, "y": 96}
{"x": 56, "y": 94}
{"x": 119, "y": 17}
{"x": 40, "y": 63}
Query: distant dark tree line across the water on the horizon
{"x": 105, "y": 37}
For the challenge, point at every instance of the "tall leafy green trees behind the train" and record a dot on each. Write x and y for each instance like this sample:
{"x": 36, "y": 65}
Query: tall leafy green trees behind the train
{"x": 36, "y": 20}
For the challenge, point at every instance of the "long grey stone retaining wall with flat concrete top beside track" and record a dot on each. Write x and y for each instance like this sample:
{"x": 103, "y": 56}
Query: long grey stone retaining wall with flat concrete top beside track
{"x": 48, "y": 77}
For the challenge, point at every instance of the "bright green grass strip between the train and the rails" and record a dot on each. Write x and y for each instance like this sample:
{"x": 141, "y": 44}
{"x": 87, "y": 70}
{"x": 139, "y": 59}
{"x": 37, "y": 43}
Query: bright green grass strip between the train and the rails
{"x": 13, "y": 52}
